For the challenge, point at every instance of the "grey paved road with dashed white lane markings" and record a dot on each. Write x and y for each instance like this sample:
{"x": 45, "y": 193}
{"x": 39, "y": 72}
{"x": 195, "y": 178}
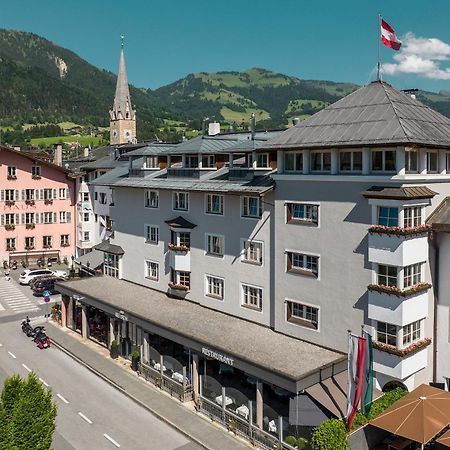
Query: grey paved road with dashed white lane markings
{"x": 91, "y": 414}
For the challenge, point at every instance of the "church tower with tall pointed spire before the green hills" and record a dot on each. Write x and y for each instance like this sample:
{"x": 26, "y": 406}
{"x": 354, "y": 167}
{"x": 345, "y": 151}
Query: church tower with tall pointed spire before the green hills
{"x": 122, "y": 123}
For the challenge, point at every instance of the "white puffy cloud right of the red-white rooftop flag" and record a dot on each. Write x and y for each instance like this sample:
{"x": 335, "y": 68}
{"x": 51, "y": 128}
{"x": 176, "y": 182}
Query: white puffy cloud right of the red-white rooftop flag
{"x": 420, "y": 56}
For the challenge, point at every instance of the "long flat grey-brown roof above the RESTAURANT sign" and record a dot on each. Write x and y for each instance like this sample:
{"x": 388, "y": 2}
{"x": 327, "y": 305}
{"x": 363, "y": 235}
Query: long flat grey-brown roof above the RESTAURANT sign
{"x": 291, "y": 358}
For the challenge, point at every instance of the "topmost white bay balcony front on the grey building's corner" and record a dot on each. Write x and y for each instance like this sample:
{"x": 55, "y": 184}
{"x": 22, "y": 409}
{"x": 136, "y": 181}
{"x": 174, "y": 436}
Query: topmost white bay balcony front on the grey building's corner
{"x": 396, "y": 249}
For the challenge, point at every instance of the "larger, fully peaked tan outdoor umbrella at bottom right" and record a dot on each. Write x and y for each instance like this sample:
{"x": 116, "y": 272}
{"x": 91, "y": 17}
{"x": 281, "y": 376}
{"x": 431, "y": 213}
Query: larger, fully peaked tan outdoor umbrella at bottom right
{"x": 418, "y": 416}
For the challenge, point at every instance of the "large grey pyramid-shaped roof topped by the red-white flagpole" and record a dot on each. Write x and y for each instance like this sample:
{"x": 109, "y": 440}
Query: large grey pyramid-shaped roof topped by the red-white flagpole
{"x": 376, "y": 114}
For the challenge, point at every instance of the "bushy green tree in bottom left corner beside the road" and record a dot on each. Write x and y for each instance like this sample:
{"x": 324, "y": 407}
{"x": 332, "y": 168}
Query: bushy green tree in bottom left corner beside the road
{"x": 28, "y": 414}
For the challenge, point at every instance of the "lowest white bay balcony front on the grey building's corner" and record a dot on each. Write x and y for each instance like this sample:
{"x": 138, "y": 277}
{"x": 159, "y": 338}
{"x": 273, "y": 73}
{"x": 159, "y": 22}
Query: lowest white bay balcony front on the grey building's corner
{"x": 398, "y": 366}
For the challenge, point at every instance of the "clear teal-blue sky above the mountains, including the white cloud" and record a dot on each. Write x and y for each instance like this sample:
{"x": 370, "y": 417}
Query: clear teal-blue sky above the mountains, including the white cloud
{"x": 322, "y": 39}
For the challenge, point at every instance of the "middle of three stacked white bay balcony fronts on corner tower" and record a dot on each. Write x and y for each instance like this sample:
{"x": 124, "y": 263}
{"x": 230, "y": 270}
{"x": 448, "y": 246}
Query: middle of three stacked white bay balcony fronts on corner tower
{"x": 396, "y": 309}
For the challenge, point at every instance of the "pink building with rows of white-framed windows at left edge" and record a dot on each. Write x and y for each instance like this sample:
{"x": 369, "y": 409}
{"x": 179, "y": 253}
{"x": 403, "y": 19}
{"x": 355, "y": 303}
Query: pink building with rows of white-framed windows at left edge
{"x": 37, "y": 209}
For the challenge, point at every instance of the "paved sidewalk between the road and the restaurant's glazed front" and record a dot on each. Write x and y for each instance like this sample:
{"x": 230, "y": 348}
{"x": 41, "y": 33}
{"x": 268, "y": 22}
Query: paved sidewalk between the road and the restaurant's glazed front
{"x": 194, "y": 427}
